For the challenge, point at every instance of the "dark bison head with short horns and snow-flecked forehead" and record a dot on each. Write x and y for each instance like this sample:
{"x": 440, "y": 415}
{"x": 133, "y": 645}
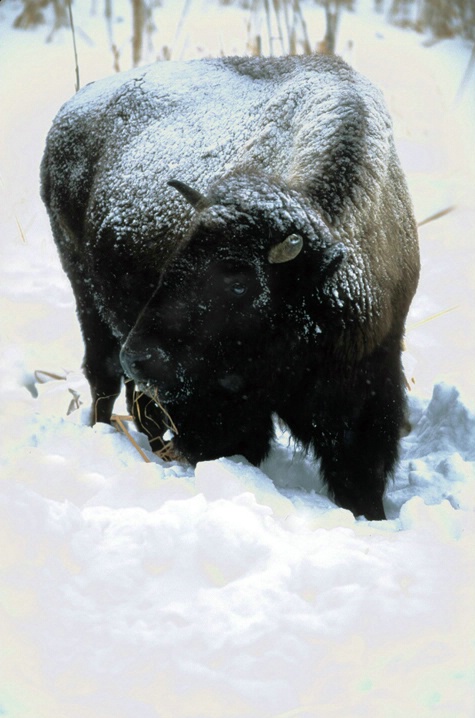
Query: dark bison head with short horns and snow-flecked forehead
{"x": 230, "y": 305}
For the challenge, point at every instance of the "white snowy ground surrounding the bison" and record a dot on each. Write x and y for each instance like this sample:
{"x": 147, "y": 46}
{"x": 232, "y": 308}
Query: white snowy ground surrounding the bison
{"x": 131, "y": 589}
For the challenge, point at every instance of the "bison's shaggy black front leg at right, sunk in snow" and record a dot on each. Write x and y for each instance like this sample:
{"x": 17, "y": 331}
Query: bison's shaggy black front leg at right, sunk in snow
{"x": 357, "y": 438}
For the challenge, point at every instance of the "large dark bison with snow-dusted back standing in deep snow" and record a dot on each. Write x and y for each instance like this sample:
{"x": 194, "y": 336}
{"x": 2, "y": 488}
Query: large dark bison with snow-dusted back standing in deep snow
{"x": 241, "y": 244}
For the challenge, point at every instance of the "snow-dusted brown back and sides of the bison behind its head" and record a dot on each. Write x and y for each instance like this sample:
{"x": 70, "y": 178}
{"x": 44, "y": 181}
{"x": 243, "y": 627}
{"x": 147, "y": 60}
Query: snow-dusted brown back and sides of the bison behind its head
{"x": 310, "y": 121}
